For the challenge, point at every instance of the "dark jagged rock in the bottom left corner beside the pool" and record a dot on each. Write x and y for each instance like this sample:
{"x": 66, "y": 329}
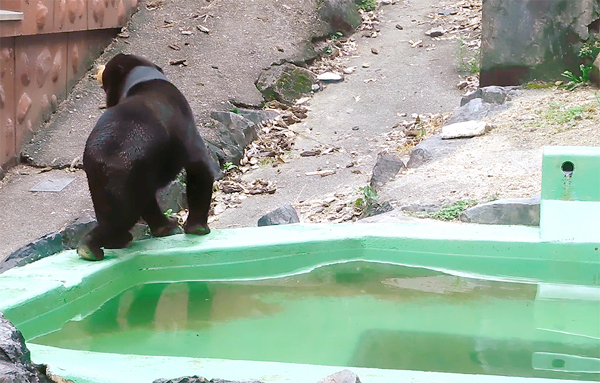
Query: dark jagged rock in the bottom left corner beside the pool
{"x": 15, "y": 362}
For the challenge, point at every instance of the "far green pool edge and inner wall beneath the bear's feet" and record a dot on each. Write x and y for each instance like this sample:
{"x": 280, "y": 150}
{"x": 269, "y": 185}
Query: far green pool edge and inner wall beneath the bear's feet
{"x": 66, "y": 286}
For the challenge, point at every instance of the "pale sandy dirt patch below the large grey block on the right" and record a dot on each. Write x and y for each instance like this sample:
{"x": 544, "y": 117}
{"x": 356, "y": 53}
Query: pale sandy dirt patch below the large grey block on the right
{"x": 506, "y": 162}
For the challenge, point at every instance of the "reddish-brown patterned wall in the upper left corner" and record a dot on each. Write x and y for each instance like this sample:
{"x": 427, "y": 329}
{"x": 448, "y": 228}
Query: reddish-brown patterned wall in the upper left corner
{"x": 44, "y": 49}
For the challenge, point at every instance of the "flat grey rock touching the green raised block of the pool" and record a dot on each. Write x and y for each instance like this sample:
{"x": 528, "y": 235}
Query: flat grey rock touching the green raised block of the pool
{"x": 512, "y": 211}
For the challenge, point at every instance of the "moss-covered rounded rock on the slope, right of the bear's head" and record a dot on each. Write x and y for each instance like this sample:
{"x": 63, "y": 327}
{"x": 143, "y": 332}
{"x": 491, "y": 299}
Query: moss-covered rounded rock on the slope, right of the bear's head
{"x": 285, "y": 83}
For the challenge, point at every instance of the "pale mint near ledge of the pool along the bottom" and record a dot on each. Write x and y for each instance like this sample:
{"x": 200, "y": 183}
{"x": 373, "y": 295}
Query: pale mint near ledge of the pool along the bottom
{"x": 75, "y": 365}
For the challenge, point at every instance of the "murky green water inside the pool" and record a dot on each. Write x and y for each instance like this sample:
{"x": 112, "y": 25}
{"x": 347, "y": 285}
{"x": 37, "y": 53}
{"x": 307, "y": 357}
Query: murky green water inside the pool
{"x": 355, "y": 314}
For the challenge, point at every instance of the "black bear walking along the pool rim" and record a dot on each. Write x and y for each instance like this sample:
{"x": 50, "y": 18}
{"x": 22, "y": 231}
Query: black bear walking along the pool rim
{"x": 140, "y": 144}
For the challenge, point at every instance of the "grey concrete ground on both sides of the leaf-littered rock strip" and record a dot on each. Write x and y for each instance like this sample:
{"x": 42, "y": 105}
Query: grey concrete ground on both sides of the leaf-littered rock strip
{"x": 245, "y": 37}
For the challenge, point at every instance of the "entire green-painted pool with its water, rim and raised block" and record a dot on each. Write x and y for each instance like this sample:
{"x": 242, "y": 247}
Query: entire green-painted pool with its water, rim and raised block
{"x": 420, "y": 302}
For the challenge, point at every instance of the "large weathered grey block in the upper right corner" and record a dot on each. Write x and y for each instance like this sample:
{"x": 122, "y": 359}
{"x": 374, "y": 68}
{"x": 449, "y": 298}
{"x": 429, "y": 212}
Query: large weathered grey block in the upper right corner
{"x": 524, "y": 40}
